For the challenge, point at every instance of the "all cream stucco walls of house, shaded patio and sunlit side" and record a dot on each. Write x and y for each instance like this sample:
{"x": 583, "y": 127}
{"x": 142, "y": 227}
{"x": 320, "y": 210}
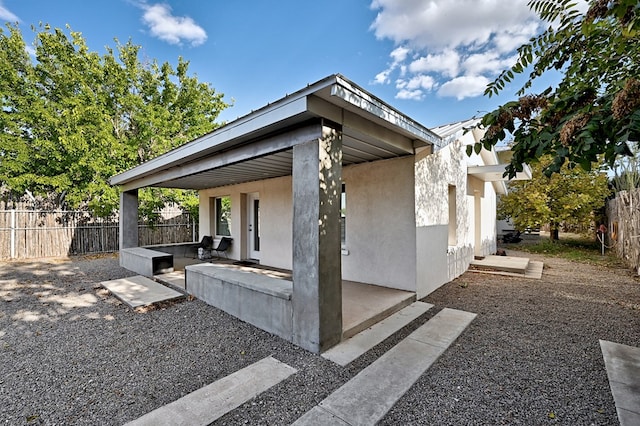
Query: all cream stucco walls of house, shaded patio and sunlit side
{"x": 397, "y": 220}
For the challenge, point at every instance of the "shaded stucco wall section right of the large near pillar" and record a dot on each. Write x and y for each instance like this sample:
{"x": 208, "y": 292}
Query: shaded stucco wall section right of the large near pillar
{"x": 380, "y": 224}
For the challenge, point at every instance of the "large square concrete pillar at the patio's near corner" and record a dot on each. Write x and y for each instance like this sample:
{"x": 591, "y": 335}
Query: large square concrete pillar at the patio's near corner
{"x": 317, "y": 277}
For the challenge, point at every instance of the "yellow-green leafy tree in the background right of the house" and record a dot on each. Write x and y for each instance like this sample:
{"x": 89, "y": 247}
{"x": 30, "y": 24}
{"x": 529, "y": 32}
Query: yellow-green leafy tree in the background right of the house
{"x": 569, "y": 196}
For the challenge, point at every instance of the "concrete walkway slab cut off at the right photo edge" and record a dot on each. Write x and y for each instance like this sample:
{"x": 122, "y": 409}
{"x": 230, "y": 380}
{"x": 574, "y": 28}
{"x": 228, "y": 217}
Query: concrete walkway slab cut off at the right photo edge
{"x": 623, "y": 370}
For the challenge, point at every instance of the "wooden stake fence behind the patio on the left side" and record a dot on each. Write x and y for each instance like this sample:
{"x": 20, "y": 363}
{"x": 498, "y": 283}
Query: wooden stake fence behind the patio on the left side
{"x": 47, "y": 233}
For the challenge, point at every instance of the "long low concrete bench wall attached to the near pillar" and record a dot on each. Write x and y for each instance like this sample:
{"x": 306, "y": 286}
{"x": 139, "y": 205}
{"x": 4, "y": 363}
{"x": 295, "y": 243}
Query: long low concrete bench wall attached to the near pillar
{"x": 254, "y": 298}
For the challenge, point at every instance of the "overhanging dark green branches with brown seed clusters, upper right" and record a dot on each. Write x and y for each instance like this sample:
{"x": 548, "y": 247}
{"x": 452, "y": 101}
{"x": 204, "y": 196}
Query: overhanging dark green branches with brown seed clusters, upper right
{"x": 595, "y": 109}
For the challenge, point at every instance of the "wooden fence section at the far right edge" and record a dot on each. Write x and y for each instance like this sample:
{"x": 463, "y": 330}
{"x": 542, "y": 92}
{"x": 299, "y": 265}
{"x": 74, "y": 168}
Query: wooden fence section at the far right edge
{"x": 623, "y": 233}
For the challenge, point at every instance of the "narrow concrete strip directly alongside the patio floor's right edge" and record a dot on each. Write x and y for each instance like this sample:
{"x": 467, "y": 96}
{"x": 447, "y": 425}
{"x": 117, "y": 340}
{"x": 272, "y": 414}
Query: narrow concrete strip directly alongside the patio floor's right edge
{"x": 353, "y": 347}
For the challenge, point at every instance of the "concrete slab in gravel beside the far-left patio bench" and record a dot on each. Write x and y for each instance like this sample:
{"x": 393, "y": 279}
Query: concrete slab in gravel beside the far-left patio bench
{"x": 139, "y": 291}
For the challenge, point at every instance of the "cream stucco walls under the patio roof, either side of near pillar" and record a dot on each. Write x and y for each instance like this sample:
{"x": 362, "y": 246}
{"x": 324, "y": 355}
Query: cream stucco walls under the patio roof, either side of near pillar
{"x": 380, "y": 223}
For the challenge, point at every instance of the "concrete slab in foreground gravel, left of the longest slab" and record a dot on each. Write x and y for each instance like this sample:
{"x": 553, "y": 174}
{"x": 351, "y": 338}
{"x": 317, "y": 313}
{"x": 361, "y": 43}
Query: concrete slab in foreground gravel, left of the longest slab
{"x": 211, "y": 402}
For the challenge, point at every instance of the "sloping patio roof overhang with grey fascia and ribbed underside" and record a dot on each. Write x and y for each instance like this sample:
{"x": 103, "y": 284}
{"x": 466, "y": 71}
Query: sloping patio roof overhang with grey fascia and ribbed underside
{"x": 260, "y": 145}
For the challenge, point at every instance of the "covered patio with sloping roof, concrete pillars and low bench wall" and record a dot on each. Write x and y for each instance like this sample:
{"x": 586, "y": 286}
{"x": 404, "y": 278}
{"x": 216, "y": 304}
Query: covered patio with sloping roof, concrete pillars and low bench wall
{"x": 284, "y": 166}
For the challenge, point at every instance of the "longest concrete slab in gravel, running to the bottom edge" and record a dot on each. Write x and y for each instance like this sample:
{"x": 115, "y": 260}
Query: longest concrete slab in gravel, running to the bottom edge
{"x": 366, "y": 398}
